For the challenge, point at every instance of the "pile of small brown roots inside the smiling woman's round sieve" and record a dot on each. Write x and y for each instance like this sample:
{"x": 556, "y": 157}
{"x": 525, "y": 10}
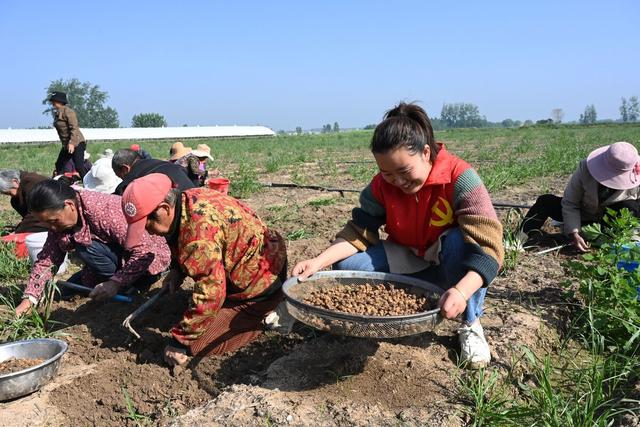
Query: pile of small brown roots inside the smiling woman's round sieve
{"x": 370, "y": 300}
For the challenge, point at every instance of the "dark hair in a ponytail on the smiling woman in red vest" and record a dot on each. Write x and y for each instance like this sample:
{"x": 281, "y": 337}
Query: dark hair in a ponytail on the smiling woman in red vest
{"x": 406, "y": 125}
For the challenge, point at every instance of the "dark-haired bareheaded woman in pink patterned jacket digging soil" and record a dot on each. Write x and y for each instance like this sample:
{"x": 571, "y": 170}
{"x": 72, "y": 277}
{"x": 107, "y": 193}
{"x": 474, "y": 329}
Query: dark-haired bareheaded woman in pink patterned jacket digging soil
{"x": 92, "y": 224}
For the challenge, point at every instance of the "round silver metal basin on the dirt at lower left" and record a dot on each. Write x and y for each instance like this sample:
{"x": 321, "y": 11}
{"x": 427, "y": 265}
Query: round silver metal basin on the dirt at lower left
{"x": 20, "y": 383}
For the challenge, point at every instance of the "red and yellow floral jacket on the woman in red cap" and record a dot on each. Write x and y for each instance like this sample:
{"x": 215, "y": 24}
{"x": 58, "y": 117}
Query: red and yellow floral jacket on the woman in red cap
{"x": 228, "y": 251}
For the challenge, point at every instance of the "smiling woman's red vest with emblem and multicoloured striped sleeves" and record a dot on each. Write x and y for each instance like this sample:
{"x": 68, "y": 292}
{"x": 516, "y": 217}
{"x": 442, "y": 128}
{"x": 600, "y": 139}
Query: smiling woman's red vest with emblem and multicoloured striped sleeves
{"x": 452, "y": 196}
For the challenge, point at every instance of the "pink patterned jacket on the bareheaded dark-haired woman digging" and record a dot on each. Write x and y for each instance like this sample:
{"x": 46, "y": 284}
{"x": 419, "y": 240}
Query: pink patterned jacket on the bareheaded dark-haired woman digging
{"x": 101, "y": 219}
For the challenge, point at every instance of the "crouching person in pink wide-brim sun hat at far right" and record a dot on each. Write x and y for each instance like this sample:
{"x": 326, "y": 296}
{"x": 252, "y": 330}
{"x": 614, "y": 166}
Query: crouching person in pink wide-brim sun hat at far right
{"x": 608, "y": 178}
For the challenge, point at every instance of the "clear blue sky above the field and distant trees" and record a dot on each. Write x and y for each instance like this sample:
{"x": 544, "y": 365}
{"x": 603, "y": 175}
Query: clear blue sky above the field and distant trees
{"x": 289, "y": 63}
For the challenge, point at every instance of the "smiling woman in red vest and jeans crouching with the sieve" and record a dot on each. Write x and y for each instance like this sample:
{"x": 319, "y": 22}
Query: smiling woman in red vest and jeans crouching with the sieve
{"x": 439, "y": 218}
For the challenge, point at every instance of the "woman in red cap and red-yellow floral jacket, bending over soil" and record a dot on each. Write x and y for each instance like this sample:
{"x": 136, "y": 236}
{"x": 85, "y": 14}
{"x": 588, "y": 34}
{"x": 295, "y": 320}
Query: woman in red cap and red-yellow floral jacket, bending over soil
{"x": 237, "y": 263}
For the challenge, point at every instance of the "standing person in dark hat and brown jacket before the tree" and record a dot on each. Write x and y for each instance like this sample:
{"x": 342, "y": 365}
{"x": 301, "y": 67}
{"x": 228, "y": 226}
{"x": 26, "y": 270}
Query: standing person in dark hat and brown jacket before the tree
{"x": 73, "y": 143}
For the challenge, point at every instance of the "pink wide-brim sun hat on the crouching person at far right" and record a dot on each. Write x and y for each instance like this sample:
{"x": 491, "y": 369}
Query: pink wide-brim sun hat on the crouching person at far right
{"x": 615, "y": 166}
